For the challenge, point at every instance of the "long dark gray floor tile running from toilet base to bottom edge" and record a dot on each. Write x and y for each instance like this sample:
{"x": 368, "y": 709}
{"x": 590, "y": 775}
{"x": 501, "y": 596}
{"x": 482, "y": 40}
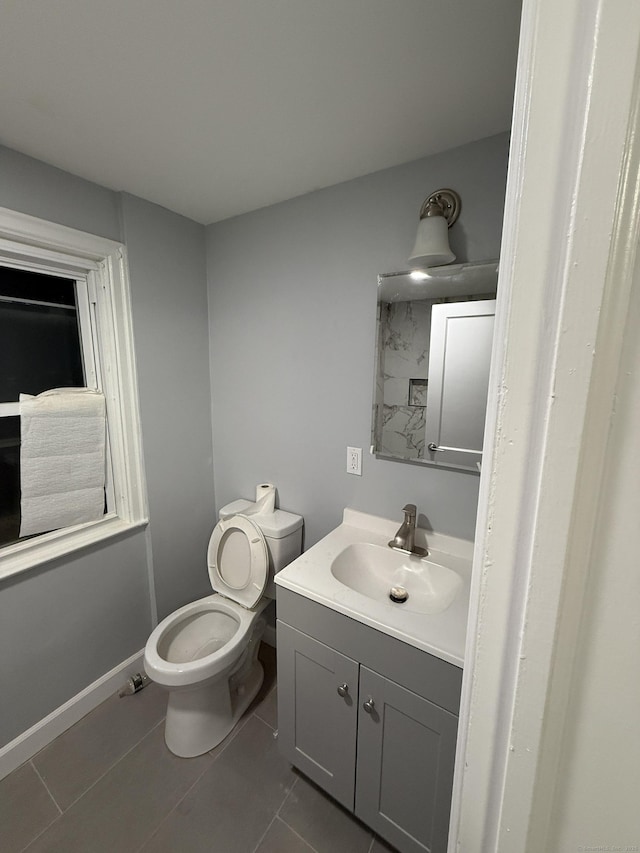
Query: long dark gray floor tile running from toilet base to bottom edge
{"x": 127, "y": 804}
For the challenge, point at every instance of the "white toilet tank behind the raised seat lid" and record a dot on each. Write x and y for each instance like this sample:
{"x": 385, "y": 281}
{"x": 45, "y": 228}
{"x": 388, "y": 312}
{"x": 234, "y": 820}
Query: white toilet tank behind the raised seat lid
{"x": 282, "y": 532}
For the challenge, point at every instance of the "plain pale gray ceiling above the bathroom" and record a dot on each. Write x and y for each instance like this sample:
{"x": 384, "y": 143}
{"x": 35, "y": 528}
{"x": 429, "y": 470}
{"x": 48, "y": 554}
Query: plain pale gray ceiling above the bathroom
{"x": 212, "y": 108}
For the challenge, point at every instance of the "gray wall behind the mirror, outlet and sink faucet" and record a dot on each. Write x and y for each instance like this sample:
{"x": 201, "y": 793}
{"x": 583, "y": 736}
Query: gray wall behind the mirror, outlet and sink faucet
{"x": 292, "y": 327}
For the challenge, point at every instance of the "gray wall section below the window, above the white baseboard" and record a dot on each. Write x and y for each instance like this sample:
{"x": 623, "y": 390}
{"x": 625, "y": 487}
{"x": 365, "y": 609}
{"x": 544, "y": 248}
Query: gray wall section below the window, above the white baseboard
{"x": 65, "y": 624}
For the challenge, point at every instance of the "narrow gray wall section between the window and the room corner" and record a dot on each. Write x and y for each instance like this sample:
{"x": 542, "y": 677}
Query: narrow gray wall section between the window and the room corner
{"x": 167, "y": 266}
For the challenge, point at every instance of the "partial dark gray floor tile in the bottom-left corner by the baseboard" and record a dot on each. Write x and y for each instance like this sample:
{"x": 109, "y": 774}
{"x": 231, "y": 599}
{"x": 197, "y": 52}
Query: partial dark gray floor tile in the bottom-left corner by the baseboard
{"x": 25, "y": 809}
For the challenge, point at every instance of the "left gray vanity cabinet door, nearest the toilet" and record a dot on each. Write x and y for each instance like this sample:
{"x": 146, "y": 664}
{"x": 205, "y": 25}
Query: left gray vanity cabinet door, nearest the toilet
{"x": 316, "y": 724}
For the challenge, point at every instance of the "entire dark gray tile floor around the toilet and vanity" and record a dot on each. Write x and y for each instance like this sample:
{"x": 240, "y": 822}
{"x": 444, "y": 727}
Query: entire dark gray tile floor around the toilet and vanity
{"x": 110, "y": 784}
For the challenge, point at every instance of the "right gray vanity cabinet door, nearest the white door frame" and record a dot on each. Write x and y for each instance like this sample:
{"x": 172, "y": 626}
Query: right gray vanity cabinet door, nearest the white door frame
{"x": 406, "y": 749}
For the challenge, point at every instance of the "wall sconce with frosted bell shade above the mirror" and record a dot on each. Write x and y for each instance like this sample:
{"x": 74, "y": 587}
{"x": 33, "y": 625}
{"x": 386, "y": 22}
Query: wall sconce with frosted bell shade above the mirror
{"x": 437, "y": 215}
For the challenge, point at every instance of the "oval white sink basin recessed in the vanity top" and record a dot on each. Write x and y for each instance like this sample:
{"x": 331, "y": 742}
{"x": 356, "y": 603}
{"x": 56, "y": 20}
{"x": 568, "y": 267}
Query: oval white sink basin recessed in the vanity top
{"x": 380, "y": 572}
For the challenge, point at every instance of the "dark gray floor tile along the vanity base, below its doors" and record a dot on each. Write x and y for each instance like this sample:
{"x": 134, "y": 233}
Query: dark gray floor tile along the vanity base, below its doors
{"x": 323, "y": 824}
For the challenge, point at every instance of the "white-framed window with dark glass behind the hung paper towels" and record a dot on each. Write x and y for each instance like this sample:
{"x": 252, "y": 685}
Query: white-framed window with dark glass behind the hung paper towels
{"x": 65, "y": 321}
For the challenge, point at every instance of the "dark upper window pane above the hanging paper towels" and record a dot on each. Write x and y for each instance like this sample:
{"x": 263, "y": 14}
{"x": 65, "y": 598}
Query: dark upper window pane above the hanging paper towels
{"x": 39, "y": 344}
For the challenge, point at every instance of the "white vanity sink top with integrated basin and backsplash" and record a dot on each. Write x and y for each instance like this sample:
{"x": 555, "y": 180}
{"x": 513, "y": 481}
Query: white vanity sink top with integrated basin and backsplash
{"x": 352, "y": 569}
